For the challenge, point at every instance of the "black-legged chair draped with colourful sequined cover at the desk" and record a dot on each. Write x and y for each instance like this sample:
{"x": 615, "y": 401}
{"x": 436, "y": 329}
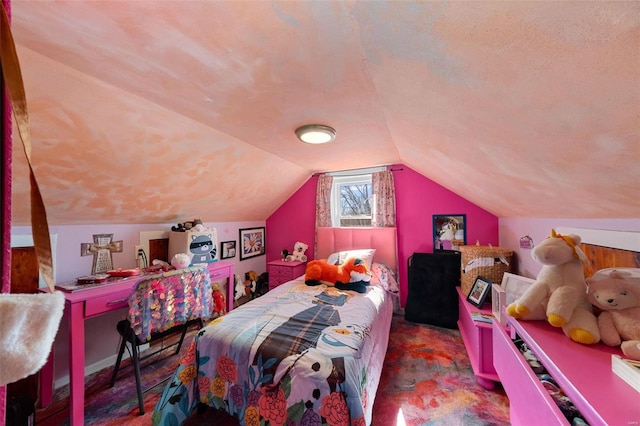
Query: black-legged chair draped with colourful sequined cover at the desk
{"x": 160, "y": 306}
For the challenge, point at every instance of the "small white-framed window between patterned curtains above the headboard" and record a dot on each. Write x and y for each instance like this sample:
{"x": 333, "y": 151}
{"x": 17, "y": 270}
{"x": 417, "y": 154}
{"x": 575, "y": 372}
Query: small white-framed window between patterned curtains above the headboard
{"x": 351, "y": 201}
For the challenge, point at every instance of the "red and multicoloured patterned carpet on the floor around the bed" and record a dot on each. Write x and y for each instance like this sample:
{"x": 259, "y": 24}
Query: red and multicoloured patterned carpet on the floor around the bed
{"x": 427, "y": 378}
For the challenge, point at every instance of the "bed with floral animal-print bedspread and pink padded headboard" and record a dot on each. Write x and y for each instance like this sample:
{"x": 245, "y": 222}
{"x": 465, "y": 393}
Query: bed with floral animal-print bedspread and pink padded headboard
{"x": 302, "y": 354}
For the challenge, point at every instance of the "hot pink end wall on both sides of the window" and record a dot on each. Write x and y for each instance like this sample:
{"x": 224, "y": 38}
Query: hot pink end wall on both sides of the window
{"x": 417, "y": 200}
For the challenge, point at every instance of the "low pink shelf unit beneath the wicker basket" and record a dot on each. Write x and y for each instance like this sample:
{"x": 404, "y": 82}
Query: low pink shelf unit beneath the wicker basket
{"x": 478, "y": 340}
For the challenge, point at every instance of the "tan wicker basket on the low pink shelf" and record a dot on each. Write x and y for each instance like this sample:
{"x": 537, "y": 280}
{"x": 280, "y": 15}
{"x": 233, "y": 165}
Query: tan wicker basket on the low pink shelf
{"x": 487, "y": 261}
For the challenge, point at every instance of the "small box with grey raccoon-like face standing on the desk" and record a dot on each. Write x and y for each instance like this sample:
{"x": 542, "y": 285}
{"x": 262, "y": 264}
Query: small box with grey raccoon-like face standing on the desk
{"x": 201, "y": 245}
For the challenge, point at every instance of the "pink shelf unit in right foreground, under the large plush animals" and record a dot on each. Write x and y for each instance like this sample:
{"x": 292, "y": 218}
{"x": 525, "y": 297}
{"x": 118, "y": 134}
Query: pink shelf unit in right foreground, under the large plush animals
{"x": 583, "y": 372}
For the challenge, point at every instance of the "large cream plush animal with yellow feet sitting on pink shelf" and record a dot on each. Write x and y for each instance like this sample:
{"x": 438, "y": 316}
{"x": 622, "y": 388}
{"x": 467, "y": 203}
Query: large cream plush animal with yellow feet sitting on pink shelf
{"x": 559, "y": 293}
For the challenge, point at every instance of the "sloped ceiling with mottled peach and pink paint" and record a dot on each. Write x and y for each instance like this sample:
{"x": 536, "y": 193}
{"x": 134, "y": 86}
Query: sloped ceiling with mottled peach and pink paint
{"x": 162, "y": 111}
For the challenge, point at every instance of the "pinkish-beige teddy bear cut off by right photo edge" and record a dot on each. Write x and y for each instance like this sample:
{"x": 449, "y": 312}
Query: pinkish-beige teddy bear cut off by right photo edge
{"x": 616, "y": 291}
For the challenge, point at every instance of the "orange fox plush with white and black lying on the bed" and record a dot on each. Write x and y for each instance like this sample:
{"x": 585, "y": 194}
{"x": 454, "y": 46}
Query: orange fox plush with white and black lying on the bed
{"x": 353, "y": 274}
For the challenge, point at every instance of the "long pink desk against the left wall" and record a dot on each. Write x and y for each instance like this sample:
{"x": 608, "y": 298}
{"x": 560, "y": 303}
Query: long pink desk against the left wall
{"x": 83, "y": 304}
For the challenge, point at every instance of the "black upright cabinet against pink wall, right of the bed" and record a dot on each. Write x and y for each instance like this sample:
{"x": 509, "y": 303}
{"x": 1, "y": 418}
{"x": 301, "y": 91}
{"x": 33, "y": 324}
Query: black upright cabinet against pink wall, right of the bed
{"x": 432, "y": 297}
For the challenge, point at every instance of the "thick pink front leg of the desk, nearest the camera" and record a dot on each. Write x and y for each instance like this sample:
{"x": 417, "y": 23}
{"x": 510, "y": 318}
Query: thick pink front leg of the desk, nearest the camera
{"x": 76, "y": 363}
